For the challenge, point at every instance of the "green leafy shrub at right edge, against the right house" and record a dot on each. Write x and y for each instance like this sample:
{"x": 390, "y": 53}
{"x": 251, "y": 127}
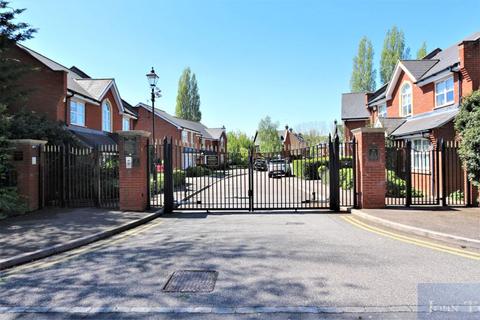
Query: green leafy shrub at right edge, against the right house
{"x": 467, "y": 124}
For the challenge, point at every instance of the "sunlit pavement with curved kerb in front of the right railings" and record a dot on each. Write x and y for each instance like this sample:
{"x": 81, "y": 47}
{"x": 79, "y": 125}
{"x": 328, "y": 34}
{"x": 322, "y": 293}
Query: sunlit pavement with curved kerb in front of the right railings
{"x": 454, "y": 224}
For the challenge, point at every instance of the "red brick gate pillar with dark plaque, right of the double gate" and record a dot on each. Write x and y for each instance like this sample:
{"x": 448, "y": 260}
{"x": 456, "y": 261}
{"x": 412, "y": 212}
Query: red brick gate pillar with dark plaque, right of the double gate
{"x": 371, "y": 184}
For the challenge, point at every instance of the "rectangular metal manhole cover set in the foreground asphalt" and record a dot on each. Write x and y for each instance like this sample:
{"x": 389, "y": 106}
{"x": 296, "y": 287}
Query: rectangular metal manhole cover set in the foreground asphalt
{"x": 191, "y": 281}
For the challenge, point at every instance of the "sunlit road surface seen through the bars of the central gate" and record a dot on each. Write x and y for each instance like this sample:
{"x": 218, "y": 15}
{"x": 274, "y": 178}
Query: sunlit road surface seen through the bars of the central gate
{"x": 268, "y": 193}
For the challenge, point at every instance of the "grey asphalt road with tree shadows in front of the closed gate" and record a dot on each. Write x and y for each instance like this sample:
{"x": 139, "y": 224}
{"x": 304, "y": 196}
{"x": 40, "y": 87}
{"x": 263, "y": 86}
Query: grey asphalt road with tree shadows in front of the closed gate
{"x": 307, "y": 263}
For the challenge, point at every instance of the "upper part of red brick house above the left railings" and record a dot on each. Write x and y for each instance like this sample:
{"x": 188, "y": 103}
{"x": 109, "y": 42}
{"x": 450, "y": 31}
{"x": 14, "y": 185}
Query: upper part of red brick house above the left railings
{"x": 91, "y": 108}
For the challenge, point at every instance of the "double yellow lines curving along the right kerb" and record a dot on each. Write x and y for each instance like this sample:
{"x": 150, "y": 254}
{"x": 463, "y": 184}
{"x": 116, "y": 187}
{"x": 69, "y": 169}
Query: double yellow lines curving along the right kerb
{"x": 418, "y": 242}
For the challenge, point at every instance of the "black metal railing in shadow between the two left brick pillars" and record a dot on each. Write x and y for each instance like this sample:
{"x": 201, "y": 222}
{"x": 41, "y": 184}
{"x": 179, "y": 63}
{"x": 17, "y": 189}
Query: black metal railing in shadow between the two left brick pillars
{"x": 79, "y": 176}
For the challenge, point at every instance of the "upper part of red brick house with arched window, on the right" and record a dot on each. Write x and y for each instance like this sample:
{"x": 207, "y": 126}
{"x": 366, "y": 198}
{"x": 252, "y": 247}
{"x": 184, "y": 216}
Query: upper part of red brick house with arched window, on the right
{"x": 421, "y": 100}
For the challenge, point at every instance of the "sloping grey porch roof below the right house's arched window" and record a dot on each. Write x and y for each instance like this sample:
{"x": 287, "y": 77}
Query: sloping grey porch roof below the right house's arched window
{"x": 426, "y": 121}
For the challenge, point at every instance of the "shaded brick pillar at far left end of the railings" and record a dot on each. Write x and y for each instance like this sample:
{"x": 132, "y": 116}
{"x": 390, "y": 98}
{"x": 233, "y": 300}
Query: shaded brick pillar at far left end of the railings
{"x": 26, "y": 161}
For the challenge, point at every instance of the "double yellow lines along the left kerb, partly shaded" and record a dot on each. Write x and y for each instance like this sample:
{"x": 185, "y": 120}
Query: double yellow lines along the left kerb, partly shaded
{"x": 95, "y": 246}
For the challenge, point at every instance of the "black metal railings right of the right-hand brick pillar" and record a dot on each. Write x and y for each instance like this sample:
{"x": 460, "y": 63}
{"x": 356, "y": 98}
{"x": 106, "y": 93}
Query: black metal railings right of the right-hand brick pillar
{"x": 427, "y": 176}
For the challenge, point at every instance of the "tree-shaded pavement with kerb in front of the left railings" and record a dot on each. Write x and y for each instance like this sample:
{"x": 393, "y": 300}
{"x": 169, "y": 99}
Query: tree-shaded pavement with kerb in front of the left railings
{"x": 44, "y": 232}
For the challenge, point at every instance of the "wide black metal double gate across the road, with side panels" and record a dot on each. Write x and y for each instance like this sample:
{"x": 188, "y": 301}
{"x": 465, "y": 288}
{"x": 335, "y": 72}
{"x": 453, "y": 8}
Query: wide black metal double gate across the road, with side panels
{"x": 314, "y": 177}
